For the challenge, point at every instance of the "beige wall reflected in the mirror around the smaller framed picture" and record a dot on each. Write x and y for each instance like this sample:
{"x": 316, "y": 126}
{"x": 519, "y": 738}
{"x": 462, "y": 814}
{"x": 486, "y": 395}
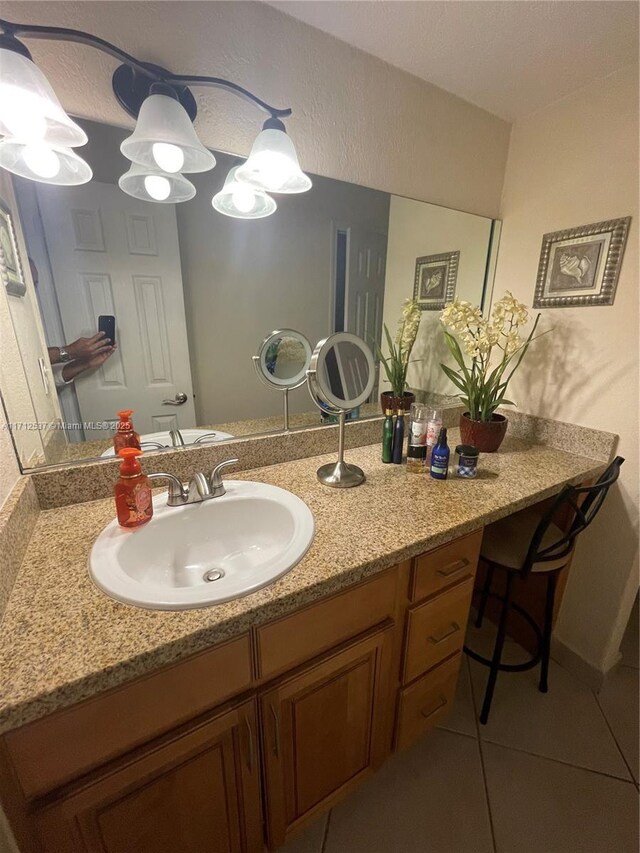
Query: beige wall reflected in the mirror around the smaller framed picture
{"x": 416, "y": 230}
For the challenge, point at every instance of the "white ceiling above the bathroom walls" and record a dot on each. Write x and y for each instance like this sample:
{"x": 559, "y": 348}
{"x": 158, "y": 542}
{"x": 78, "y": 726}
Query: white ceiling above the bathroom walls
{"x": 510, "y": 57}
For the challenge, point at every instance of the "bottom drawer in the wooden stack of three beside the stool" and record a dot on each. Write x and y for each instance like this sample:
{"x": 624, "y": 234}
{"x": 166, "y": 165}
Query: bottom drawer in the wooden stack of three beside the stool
{"x": 427, "y": 702}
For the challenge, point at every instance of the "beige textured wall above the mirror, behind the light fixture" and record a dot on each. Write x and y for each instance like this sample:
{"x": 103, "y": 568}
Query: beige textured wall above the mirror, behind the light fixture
{"x": 355, "y": 118}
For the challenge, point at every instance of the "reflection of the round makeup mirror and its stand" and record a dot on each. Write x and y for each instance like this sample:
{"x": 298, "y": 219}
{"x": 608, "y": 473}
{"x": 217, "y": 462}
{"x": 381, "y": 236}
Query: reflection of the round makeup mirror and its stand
{"x": 282, "y": 362}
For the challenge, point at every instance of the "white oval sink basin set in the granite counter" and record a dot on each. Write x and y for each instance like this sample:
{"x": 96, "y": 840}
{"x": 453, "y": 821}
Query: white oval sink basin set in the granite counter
{"x": 244, "y": 540}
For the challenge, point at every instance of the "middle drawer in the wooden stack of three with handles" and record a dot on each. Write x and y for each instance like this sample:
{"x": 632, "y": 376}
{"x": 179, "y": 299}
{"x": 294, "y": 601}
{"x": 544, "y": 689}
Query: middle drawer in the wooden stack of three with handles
{"x": 436, "y": 629}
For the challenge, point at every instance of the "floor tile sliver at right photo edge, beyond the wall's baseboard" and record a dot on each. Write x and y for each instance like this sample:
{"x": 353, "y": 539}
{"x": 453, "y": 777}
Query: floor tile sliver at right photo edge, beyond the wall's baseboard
{"x": 619, "y": 702}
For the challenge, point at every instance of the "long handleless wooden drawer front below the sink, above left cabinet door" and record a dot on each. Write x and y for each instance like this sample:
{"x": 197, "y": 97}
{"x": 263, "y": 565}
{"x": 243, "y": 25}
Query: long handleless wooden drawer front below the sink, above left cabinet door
{"x": 58, "y": 748}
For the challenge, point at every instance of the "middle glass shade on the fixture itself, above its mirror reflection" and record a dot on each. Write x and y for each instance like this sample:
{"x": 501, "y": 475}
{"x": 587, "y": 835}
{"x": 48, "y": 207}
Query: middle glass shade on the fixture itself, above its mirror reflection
{"x": 164, "y": 138}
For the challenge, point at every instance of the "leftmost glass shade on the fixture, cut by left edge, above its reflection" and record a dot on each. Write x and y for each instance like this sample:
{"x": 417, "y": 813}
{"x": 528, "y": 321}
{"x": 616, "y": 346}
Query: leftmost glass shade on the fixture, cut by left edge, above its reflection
{"x": 29, "y": 109}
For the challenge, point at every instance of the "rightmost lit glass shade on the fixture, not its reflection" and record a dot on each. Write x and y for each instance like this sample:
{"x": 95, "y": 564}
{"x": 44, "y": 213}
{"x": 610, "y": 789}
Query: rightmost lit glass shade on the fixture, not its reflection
{"x": 273, "y": 164}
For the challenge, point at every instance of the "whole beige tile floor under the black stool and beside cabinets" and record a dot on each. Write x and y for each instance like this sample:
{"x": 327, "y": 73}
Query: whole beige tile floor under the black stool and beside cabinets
{"x": 548, "y": 774}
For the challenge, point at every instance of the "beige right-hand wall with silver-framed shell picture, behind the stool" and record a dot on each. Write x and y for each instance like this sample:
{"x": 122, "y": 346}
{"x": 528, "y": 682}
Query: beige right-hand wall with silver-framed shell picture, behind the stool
{"x": 571, "y": 164}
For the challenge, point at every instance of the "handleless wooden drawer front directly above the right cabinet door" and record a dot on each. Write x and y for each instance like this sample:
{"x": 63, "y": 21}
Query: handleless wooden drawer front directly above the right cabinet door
{"x": 306, "y": 633}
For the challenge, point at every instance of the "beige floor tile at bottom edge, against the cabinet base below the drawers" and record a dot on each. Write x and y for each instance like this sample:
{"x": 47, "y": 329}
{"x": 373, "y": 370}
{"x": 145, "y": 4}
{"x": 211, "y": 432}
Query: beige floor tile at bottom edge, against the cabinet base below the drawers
{"x": 428, "y": 799}
